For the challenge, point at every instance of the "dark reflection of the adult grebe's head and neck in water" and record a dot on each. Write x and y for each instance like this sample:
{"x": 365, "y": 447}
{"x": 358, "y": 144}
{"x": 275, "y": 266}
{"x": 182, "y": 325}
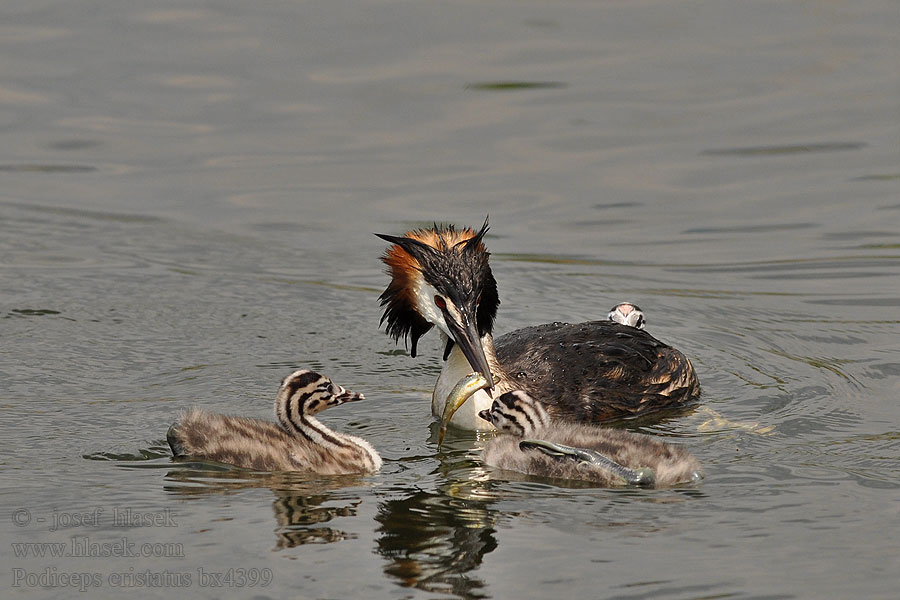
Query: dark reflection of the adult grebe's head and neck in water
{"x": 434, "y": 541}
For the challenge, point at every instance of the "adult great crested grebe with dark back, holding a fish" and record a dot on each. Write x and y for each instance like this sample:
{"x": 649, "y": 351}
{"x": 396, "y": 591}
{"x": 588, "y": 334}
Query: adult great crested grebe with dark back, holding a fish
{"x": 590, "y": 372}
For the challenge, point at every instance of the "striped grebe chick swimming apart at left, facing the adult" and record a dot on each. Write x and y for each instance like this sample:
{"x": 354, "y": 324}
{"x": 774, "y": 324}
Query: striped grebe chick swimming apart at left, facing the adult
{"x": 299, "y": 442}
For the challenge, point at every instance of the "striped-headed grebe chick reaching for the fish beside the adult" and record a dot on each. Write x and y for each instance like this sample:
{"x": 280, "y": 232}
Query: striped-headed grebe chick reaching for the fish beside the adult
{"x": 566, "y": 450}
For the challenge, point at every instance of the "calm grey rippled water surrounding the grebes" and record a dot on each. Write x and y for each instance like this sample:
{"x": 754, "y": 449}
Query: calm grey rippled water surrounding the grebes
{"x": 189, "y": 192}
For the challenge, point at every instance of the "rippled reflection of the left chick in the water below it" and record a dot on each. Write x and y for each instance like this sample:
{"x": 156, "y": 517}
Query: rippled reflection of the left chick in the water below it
{"x": 298, "y": 507}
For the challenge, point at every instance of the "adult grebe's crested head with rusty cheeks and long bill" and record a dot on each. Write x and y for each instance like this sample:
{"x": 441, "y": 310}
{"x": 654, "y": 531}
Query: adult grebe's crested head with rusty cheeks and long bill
{"x": 441, "y": 276}
